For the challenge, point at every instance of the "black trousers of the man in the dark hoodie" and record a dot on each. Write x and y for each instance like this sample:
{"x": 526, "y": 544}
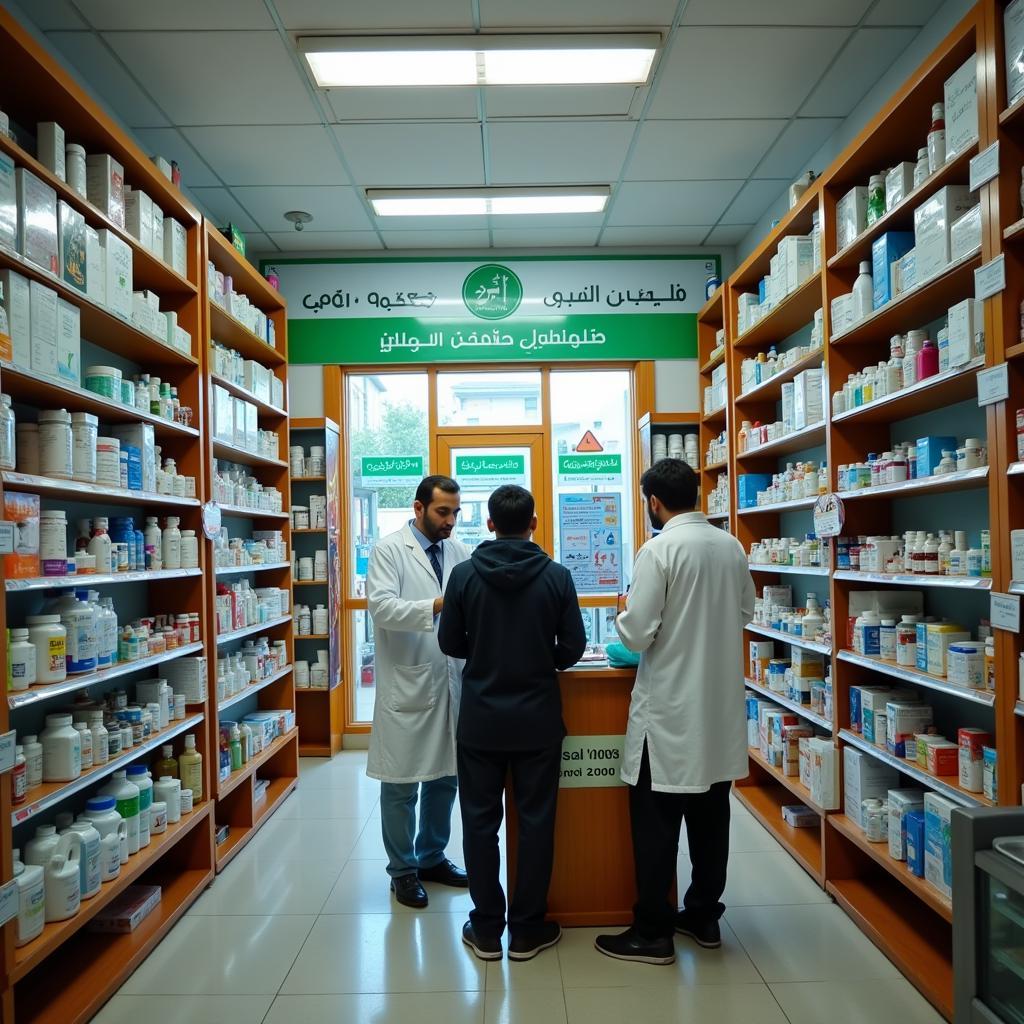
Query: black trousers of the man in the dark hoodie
{"x": 482, "y": 789}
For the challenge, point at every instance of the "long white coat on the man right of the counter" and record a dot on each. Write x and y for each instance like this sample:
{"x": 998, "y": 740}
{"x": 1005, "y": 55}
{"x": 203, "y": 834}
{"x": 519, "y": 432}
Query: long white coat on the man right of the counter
{"x": 692, "y": 596}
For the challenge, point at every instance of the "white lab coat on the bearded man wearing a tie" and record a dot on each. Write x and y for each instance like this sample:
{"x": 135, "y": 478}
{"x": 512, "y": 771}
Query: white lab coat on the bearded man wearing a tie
{"x": 418, "y": 688}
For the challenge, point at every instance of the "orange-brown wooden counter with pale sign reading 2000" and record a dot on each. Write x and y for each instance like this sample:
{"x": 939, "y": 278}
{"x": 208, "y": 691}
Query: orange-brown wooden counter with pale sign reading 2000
{"x": 593, "y": 881}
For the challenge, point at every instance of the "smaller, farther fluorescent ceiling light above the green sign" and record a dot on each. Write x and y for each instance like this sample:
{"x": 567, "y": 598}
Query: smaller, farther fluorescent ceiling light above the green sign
{"x": 463, "y": 202}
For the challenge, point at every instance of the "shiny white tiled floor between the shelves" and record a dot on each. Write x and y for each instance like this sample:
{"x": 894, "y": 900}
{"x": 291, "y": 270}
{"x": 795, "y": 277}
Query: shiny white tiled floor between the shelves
{"x": 324, "y": 943}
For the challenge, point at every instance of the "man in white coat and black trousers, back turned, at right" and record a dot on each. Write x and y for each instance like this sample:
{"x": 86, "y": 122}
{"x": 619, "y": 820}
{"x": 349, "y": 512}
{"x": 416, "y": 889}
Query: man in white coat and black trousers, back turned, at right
{"x": 687, "y": 739}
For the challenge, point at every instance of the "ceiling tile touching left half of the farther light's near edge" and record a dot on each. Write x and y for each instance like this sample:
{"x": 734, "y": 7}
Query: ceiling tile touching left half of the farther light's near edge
{"x": 414, "y": 155}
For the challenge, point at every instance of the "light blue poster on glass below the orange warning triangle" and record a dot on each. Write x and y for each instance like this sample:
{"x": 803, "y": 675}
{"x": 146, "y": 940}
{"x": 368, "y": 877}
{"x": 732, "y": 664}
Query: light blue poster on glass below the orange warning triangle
{"x": 591, "y": 541}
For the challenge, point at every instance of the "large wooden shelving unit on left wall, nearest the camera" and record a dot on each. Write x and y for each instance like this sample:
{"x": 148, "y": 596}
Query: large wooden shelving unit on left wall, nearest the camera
{"x": 68, "y": 973}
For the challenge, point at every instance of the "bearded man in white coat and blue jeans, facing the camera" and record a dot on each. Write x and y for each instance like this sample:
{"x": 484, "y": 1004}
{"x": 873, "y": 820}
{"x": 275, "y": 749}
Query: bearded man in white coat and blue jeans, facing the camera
{"x": 412, "y": 747}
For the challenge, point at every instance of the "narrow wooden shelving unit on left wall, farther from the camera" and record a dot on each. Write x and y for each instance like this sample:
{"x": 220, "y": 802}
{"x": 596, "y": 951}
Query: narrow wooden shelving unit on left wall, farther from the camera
{"x": 235, "y": 798}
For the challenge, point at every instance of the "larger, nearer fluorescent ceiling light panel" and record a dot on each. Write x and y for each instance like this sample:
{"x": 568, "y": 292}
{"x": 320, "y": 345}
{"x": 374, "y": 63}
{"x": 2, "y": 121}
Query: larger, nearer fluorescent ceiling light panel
{"x": 473, "y": 61}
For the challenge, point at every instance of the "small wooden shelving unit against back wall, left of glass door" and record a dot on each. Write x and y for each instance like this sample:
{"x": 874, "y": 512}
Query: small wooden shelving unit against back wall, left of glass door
{"x": 322, "y": 715}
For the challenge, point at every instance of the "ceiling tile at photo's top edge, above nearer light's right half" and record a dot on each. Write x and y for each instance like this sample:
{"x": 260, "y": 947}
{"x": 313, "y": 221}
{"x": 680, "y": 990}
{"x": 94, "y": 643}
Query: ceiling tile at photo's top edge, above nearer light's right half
{"x": 574, "y": 15}
